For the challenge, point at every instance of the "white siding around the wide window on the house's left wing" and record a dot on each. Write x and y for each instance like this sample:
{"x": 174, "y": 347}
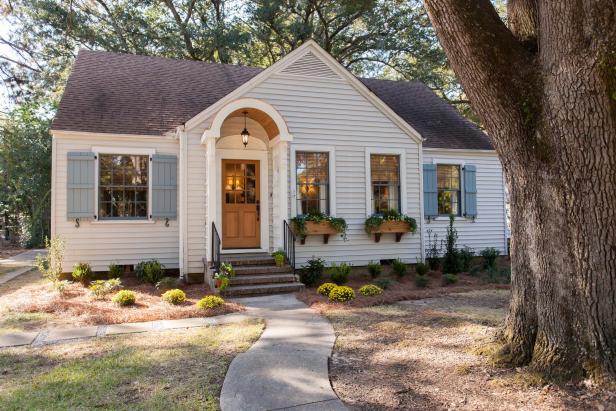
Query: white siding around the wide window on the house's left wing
{"x": 101, "y": 243}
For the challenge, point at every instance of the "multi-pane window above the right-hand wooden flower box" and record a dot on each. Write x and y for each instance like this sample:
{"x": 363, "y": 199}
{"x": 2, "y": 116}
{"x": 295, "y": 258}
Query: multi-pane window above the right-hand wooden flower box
{"x": 385, "y": 170}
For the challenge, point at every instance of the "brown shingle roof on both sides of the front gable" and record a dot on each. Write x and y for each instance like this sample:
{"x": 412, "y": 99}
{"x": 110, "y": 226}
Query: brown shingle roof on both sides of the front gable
{"x": 129, "y": 94}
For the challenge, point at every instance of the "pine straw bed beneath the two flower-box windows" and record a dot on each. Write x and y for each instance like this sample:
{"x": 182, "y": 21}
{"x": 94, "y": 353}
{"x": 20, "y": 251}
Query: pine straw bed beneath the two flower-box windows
{"x": 399, "y": 290}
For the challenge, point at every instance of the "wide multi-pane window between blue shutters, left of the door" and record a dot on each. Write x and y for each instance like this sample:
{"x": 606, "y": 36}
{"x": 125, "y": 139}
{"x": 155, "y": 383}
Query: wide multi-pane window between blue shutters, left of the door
{"x": 123, "y": 186}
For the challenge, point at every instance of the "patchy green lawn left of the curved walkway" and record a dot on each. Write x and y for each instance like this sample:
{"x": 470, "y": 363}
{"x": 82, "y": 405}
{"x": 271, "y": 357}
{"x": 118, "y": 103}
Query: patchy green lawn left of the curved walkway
{"x": 179, "y": 369}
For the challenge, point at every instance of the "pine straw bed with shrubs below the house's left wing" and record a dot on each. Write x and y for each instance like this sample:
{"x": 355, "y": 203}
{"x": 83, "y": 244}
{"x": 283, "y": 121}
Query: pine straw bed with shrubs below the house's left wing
{"x": 76, "y": 307}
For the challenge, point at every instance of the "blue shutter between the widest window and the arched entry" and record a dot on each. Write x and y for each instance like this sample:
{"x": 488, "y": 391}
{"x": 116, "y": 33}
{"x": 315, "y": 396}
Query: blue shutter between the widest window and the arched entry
{"x": 164, "y": 186}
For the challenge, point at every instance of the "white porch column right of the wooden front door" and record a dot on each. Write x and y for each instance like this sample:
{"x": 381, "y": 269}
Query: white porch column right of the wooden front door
{"x": 280, "y": 189}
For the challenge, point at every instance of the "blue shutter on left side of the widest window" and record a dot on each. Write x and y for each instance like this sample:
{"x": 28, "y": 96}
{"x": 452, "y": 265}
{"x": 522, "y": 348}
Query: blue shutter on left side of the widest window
{"x": 80, "y": 185}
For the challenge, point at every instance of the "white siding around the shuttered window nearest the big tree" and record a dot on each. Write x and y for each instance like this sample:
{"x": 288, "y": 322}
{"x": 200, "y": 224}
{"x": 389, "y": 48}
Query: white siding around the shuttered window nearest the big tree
{"x": 488, "y": 229}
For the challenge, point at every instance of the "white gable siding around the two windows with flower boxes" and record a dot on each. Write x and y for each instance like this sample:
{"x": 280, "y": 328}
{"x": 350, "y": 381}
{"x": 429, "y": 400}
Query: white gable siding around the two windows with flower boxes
{"x": 325, "y": 112}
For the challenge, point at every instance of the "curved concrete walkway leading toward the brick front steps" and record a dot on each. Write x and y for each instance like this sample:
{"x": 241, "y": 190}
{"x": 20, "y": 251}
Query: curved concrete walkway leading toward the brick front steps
{"x": 287, "y": 369}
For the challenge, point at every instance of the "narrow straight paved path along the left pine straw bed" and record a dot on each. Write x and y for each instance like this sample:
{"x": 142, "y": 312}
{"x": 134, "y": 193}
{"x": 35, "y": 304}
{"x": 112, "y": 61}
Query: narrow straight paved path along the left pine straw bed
{"x": 59, "y": 335}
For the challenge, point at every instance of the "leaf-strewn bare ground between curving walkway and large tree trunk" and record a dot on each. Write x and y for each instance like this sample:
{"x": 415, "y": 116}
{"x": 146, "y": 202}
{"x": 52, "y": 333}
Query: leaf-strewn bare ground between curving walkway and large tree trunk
{"x": 423, "y": 355}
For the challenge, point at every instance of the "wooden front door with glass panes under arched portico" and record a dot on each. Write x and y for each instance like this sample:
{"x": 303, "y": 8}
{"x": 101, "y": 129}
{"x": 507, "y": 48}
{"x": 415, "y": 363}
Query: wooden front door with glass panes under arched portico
{"x": 241, "y": 225}
